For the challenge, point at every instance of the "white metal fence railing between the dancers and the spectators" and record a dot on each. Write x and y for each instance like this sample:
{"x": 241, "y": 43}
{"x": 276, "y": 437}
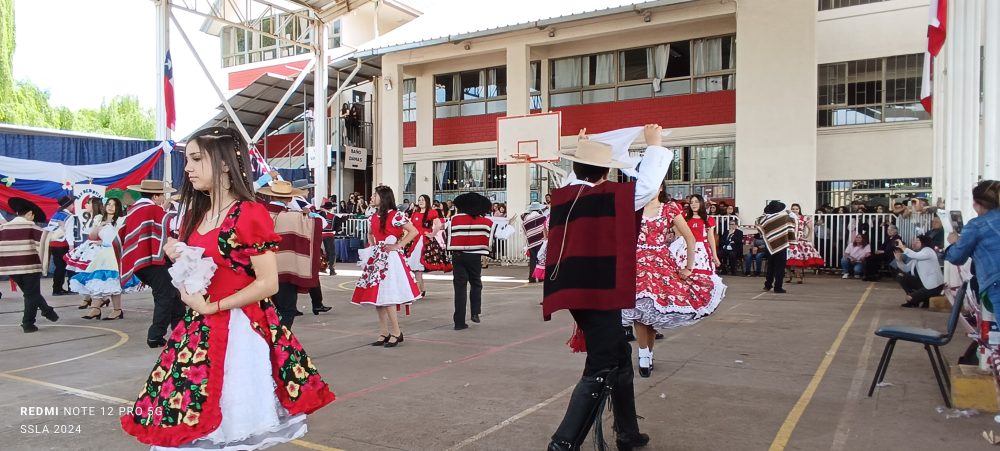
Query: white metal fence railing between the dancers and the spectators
{"x": 831, "y": 234}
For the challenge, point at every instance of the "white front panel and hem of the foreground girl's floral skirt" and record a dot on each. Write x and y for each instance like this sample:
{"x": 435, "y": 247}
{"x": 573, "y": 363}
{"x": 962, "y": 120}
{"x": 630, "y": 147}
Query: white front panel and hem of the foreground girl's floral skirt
{"x": 252, "y": 417}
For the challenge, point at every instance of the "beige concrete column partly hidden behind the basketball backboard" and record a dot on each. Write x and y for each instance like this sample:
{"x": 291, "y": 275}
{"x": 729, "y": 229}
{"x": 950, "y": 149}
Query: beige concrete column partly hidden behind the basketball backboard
{"x": 518, "y": 74}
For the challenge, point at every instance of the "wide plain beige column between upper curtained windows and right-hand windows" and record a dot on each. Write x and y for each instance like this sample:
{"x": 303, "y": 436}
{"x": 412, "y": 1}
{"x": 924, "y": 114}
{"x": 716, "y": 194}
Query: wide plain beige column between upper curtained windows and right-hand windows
{"x": 775, "y": 105}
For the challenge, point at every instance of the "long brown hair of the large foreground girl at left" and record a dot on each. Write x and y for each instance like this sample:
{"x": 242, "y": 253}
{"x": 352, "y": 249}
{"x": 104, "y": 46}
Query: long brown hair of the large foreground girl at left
{"x": 224, "y": 147}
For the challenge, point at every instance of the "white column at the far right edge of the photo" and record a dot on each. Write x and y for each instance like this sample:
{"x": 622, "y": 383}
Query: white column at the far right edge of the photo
{"x": 991, "y": 93}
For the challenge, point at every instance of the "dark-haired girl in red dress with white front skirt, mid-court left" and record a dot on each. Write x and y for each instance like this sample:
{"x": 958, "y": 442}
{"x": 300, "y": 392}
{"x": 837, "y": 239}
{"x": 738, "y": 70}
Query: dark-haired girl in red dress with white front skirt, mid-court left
{"x": 386, "y": 280}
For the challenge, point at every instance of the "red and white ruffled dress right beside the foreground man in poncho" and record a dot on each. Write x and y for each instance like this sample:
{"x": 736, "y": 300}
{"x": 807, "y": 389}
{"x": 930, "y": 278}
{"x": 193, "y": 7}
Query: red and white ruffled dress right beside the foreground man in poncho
{"x": 662, "y": 299}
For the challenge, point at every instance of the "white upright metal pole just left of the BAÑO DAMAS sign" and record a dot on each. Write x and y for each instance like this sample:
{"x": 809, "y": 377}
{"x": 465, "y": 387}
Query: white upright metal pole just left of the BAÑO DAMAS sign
{"x": 320, "y": 80}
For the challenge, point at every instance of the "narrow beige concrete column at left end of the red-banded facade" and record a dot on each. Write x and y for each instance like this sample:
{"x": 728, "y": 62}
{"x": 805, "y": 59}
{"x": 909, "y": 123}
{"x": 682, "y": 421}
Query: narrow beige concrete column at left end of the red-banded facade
{"x": 391, "y": 115}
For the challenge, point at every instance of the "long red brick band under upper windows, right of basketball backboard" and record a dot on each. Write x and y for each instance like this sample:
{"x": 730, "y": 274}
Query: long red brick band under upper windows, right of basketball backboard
{"x": 671, "y": 112}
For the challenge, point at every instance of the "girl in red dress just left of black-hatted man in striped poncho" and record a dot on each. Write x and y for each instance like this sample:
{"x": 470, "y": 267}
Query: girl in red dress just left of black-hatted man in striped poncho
{"x": 425, "y": 253}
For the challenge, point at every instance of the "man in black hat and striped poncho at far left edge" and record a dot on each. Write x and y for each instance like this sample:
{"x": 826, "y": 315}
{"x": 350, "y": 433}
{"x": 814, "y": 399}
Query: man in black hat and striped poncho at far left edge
{"x": 24, "y": 257}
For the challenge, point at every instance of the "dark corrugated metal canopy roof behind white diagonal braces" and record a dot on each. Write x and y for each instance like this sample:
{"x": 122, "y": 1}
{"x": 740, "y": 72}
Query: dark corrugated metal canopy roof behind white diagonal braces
{"x": 255, "y": 102}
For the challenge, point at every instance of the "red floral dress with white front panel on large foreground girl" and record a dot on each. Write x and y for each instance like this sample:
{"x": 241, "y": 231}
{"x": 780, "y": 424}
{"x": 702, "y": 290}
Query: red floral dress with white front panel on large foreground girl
{"x": 233, "y": 380}
